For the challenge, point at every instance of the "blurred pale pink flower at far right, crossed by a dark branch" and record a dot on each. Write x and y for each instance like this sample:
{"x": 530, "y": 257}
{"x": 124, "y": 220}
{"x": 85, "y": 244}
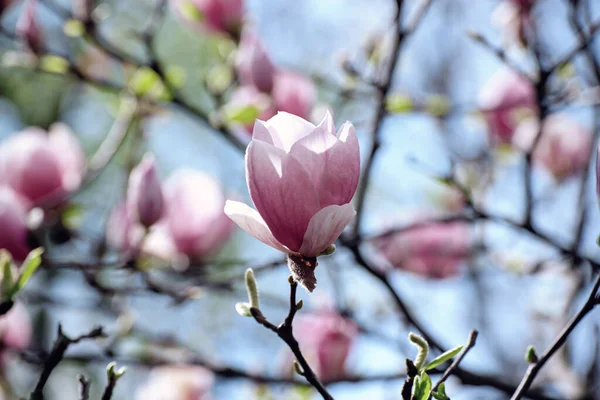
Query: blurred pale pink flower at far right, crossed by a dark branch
{"x": 564, "y": 147}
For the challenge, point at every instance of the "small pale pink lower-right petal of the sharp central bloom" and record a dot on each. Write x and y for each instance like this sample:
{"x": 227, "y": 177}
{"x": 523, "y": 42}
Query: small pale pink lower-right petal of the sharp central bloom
{"x": 325, "y": 228}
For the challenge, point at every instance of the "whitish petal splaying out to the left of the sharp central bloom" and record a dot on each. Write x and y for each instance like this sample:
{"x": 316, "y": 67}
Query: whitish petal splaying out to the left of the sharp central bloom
{"x": 250, "y": 220}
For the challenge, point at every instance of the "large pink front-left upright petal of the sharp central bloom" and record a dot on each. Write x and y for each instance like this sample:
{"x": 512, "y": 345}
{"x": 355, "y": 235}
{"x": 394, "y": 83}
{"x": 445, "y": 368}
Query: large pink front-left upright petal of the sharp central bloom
{"x": 282, "y": 192}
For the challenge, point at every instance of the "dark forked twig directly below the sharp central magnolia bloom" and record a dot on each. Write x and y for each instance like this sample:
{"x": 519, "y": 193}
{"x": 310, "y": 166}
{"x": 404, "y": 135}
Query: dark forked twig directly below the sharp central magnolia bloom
{"x": 285, "y": 332}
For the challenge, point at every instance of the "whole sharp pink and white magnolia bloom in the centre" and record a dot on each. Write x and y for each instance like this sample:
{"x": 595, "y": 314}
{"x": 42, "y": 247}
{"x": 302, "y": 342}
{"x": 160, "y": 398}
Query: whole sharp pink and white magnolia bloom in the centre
{"x": 301, "y": 179}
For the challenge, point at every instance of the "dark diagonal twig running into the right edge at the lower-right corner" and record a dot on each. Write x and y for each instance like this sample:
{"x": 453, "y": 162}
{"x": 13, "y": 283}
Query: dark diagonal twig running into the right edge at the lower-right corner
{"x": 534, "y": 368}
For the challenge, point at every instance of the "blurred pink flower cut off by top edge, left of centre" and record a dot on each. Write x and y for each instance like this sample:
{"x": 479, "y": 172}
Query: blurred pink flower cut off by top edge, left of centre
{"x": 219, "y": 16}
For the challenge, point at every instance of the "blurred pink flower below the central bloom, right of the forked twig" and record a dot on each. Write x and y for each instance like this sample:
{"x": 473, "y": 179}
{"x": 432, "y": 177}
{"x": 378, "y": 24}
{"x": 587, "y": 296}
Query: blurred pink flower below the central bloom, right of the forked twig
{"x": 326, "y": 340}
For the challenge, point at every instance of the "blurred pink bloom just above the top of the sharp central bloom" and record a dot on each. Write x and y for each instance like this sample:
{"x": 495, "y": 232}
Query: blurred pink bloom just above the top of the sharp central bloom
{"x": 294, "y": 93}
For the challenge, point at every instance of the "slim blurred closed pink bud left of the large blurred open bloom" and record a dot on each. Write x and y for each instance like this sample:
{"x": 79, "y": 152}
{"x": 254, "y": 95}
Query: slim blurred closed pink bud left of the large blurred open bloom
{"x": 144, "y": 193}
